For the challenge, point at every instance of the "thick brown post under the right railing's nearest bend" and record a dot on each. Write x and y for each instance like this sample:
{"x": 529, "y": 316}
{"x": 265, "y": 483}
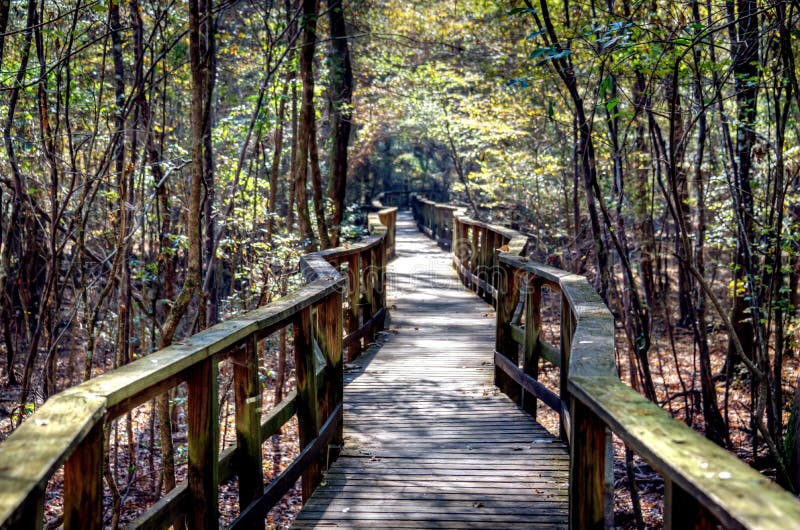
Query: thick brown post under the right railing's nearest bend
{"x": 590, "y": 471}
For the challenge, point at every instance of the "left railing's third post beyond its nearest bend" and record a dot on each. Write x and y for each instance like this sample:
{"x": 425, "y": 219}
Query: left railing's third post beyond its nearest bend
{"x": 307, "y": 404}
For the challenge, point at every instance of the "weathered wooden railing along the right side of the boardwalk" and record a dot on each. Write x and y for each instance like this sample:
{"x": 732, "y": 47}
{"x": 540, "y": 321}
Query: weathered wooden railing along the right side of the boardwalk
{"x": 704, "y": 484}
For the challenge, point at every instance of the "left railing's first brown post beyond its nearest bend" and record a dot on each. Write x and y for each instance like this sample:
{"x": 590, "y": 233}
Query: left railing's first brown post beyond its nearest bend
{"x": 203, "y": 442}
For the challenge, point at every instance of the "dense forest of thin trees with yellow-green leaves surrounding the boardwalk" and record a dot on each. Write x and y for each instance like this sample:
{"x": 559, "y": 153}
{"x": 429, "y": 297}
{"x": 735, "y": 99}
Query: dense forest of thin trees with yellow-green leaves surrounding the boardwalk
{"x": 166, "y": 162}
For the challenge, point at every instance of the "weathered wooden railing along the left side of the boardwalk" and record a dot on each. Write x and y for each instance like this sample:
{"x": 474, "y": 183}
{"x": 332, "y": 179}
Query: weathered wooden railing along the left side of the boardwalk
{"x": 68, "y": 429}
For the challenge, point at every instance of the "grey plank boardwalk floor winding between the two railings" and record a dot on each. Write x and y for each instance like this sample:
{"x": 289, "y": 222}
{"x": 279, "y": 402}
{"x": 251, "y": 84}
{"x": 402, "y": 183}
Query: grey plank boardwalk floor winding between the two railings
{"x": 429, "y": 441}
